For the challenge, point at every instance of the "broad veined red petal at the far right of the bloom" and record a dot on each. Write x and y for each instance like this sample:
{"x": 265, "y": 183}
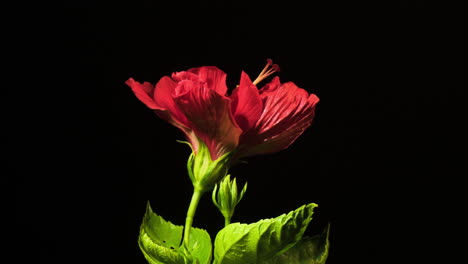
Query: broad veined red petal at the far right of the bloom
{"x": 288, "y": 111}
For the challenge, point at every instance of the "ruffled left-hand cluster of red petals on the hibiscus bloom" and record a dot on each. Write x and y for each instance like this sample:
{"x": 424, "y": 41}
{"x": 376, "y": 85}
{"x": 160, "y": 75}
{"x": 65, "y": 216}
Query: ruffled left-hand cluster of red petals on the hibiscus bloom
{"x": 195, "y": 102}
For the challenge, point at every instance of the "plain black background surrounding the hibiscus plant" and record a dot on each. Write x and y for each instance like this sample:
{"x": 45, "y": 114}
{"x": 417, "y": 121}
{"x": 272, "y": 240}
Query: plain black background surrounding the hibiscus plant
{"x": 86, "y": 155}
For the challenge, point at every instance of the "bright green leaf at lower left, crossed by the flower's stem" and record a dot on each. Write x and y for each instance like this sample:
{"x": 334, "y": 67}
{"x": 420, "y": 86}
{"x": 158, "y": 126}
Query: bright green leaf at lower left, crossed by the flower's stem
{"x": 160, "y": 242}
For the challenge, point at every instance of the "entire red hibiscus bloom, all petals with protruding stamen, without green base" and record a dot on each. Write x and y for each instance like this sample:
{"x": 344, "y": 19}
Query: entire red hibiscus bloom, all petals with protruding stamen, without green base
{"x": 249, "y": 122}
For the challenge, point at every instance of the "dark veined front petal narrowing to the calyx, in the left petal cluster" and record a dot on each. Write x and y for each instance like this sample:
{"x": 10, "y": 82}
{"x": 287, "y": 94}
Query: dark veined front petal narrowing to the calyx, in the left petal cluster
{"x": 210, "y": 116}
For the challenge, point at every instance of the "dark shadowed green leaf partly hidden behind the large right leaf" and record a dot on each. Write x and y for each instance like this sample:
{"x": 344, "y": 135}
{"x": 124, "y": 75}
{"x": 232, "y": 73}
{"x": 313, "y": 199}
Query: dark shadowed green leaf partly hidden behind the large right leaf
{"x": 309, "y": 250}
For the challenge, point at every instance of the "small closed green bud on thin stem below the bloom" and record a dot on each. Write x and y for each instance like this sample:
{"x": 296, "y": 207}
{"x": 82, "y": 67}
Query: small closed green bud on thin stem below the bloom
{"x": 226, "y": 197}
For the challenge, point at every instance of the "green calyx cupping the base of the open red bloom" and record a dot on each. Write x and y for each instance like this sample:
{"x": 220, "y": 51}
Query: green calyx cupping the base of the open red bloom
{"x": 205, "y": 172}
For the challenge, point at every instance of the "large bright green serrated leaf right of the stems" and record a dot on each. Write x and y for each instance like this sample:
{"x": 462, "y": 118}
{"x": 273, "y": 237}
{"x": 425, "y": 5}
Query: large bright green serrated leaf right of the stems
{"x": 253, "y": 243}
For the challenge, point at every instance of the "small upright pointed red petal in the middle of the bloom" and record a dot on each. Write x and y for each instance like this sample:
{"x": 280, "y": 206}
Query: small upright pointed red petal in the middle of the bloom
{"x": 246, "y": 103}
